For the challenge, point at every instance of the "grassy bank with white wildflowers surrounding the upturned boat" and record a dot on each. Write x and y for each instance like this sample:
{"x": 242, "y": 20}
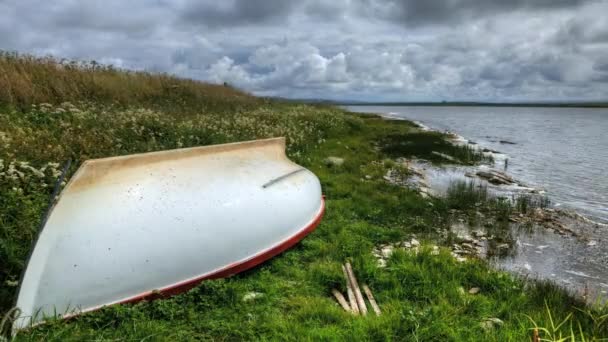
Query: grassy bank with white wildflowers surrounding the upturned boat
{"x": 423, "y": 296}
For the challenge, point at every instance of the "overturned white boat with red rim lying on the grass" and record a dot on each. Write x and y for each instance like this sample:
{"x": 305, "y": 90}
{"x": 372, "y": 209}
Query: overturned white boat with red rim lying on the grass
{"x": 150, "y": 225}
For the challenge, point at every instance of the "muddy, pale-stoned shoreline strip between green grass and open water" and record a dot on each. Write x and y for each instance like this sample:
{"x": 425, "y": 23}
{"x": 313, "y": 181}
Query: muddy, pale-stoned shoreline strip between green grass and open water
{"x": 566, "y": 223}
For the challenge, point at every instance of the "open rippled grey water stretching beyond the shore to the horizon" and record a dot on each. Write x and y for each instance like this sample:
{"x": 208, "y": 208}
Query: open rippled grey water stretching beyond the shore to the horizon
{"x": 562, "y": 150}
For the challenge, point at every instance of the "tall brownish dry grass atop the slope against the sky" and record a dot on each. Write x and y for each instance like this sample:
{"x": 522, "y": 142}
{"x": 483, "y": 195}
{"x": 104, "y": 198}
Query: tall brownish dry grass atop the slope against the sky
{"x": 27, "y": 80}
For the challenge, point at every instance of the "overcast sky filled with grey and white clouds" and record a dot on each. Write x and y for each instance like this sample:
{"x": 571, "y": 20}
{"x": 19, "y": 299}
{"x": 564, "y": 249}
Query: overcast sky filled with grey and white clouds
{"x": 367, "y": 50}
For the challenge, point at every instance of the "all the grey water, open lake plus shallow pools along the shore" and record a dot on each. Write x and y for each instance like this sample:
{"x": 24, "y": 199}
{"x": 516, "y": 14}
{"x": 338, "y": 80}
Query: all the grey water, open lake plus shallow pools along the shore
{"x": 562, "y": 150}
